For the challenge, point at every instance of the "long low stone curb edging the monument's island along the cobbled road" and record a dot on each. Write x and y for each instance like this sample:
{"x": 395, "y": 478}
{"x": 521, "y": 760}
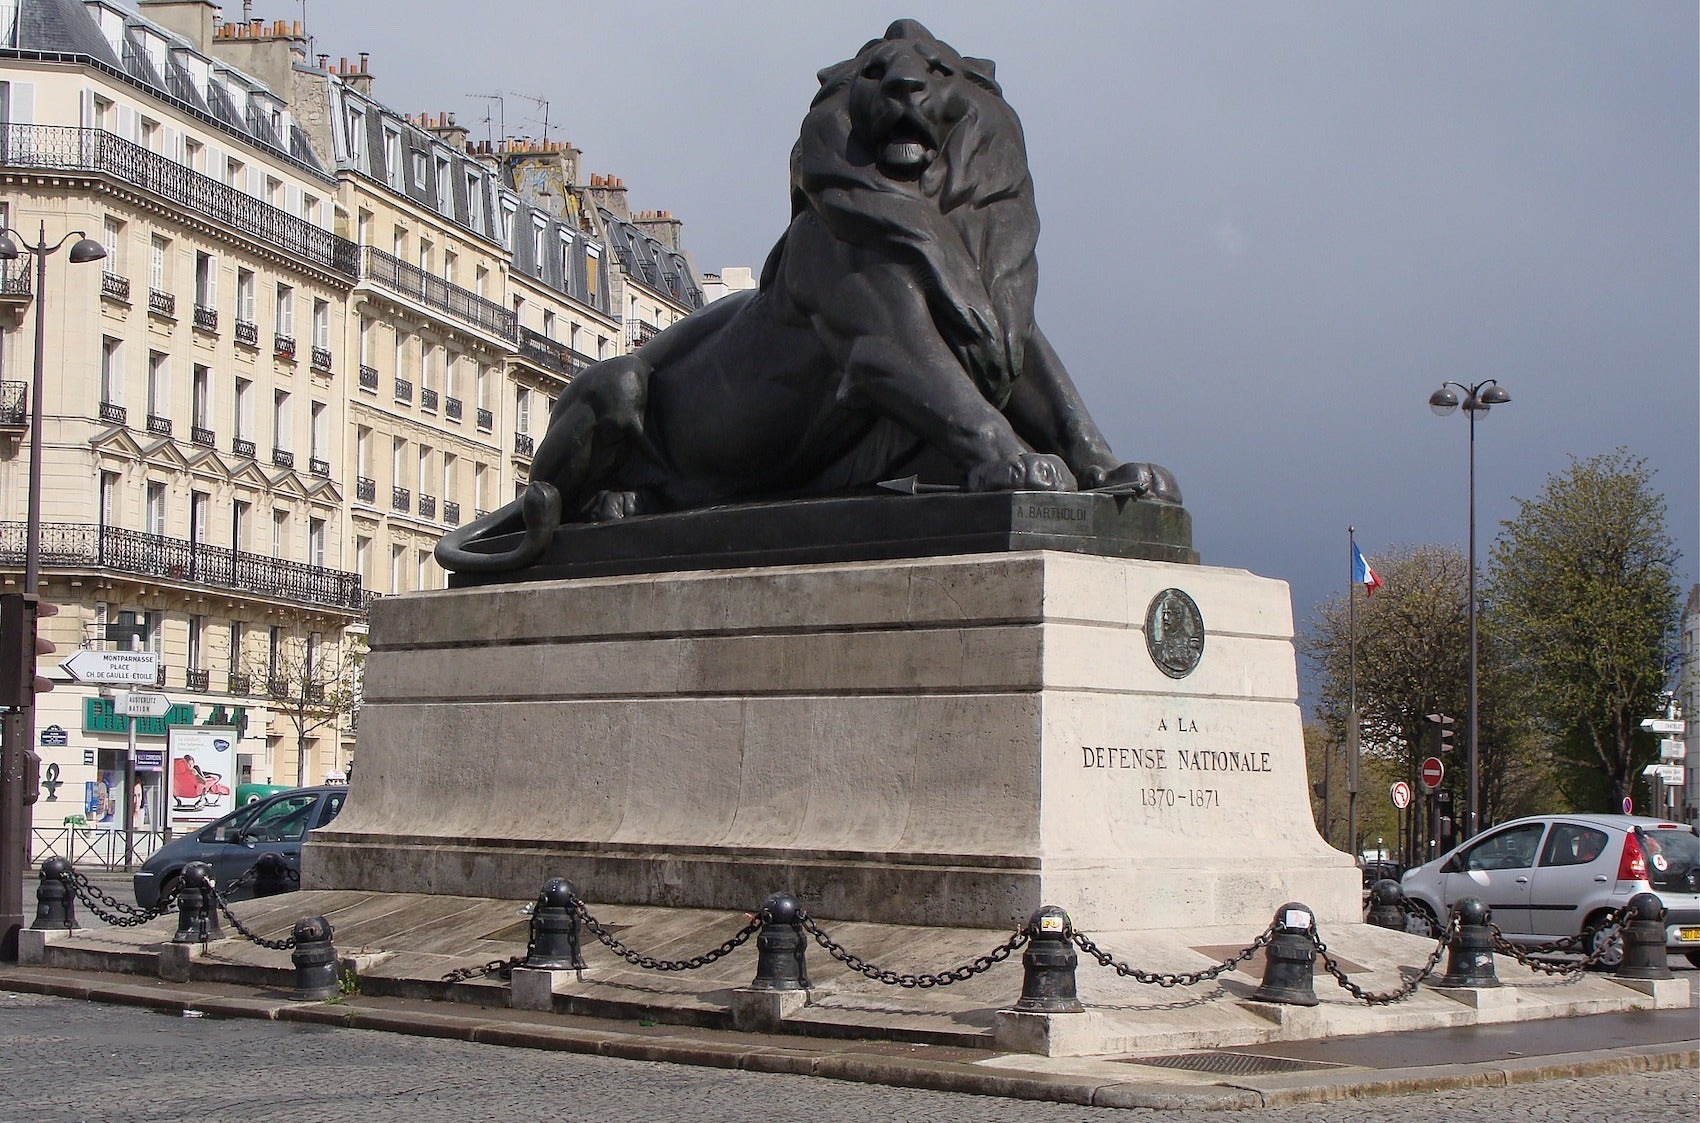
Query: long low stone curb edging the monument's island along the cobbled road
{"x": 871, "y": 1068}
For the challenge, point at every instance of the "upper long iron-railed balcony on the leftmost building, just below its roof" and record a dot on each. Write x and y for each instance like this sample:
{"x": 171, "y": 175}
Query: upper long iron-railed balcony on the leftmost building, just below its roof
{"x": 105, "y": 154}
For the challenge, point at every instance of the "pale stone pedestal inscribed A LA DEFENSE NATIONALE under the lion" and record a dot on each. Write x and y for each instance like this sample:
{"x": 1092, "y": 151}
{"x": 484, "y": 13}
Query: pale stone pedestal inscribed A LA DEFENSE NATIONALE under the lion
{"x": 927, "y": 742}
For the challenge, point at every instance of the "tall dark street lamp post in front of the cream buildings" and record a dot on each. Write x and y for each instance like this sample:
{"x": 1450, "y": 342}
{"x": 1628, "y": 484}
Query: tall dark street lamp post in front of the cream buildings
{"x": 20, "y": 730}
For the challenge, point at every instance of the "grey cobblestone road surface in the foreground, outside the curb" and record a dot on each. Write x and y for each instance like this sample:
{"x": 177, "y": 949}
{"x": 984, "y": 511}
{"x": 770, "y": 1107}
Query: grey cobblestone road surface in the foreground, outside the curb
{"x": 76, "y": 1063}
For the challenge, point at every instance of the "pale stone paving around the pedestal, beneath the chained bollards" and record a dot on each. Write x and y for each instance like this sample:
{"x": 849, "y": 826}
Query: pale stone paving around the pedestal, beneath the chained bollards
{"x": 1203, "y": 1047}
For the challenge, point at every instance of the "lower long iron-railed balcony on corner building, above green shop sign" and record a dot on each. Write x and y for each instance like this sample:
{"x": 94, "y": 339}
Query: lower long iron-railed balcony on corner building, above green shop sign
{"x": 88, "y": 546}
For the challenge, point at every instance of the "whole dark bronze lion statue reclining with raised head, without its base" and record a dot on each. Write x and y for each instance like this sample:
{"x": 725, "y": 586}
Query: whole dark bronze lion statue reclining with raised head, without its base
{"x": 892, "y": 334}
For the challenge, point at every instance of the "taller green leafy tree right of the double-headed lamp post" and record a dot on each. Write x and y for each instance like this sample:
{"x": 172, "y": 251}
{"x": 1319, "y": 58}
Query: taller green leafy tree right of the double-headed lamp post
{"x": 1584, "y": 611}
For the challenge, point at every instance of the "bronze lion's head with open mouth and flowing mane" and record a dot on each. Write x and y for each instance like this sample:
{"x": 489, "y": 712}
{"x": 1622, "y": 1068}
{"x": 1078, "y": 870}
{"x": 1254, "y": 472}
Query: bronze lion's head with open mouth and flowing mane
{"x": 910, "y": 147}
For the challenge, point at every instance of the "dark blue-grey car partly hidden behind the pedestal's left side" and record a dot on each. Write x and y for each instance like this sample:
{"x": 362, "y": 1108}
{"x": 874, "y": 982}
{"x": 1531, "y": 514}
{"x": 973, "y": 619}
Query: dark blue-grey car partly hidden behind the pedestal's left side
{"x": 269, "y": 827}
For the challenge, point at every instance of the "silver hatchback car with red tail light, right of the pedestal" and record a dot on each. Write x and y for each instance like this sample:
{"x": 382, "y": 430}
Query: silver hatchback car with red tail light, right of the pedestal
{"x": 1550, "y": 878}
